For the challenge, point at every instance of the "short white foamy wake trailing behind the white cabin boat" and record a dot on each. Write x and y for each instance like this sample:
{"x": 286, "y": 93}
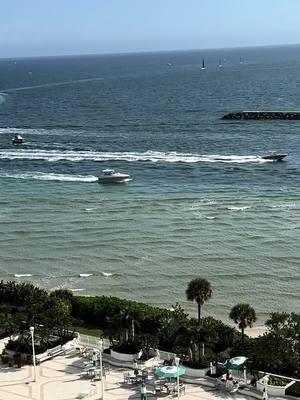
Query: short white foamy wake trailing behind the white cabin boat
{"x": 51, "y": 177}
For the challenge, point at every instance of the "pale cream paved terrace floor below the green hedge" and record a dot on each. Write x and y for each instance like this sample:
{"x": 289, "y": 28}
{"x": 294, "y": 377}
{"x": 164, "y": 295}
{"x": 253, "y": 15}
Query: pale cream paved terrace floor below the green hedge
{"x": 59, "y": 379}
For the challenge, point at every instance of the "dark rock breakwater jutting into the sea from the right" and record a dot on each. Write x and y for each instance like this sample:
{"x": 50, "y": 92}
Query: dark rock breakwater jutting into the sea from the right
{"x": 291, "y": 115}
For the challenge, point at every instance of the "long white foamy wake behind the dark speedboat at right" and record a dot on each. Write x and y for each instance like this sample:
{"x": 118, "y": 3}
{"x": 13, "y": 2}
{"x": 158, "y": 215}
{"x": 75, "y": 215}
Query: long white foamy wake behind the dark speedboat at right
{"x": 152, "y": 156}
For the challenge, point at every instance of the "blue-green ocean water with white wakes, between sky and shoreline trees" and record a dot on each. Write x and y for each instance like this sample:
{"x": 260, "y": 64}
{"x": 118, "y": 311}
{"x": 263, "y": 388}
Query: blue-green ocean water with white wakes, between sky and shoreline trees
{"x": 201, "y": 201}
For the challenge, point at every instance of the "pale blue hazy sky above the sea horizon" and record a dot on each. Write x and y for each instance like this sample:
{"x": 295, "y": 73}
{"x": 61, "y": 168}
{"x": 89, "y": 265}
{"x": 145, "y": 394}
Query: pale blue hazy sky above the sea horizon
{"x": 57, "y": 27}
